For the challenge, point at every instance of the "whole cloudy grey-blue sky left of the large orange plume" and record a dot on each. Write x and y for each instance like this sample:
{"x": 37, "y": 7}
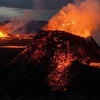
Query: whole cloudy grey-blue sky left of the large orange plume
{"x": 14, "y": 8}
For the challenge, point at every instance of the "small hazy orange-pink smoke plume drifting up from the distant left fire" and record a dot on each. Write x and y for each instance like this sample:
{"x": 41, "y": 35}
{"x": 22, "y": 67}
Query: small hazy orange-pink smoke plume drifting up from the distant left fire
{"x": 16, "y": 23}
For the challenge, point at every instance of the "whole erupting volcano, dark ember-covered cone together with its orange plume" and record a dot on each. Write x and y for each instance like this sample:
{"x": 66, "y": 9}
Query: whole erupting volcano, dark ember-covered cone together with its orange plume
{"x": 61, "y": 46}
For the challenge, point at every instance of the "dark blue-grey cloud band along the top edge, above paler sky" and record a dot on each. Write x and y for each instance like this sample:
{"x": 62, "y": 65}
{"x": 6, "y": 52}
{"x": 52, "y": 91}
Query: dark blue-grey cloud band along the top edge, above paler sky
{"x": 35, "y": 4}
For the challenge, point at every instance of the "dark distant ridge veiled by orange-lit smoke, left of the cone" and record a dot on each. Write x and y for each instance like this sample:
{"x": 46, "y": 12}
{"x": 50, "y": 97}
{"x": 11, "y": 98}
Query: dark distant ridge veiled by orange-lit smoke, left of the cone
{"x": 22, "y": 26}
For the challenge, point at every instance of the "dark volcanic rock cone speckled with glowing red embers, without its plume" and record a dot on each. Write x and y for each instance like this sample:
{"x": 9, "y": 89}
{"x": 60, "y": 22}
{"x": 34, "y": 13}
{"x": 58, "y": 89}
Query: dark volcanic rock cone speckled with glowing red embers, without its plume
{"x": 55, "y": 60}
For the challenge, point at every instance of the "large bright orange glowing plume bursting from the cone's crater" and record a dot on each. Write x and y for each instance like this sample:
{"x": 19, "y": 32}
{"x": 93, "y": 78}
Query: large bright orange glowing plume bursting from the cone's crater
{"x": 80, "y": 20}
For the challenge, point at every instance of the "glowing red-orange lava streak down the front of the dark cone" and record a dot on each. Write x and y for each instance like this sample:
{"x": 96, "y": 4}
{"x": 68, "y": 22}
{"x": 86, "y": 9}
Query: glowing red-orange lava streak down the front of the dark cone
{"x": 59, "y": 77}
